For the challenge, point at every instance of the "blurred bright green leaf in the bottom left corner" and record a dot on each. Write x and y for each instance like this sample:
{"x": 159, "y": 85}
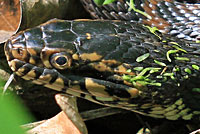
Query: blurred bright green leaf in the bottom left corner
{"x": 12, "y": 115}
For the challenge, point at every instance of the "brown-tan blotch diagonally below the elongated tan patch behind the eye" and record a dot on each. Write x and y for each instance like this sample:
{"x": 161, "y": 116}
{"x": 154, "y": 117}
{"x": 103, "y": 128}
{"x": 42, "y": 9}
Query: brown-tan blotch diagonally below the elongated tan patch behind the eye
{"x": 101, "y": 67}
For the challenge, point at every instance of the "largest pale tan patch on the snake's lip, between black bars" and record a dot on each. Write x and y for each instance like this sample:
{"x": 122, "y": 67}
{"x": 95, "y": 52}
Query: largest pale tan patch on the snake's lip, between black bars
{"x": 95, "y": 88}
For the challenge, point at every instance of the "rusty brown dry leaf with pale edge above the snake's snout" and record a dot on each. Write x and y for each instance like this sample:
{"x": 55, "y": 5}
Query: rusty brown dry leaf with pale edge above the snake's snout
{"x": 10, "y": 17}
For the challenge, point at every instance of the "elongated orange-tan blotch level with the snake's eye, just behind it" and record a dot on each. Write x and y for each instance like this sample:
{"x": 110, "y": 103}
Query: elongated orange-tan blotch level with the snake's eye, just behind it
{"x": 90, "y": 56}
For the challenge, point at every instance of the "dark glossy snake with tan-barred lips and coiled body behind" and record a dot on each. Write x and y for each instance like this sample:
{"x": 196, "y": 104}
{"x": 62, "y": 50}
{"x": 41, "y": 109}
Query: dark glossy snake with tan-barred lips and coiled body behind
{"x": 118, "y": 63}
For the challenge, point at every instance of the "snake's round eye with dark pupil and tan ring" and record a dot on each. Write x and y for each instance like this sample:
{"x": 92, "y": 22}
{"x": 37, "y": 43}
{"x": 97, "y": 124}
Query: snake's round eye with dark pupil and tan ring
{"x": 61, "y": 60}
